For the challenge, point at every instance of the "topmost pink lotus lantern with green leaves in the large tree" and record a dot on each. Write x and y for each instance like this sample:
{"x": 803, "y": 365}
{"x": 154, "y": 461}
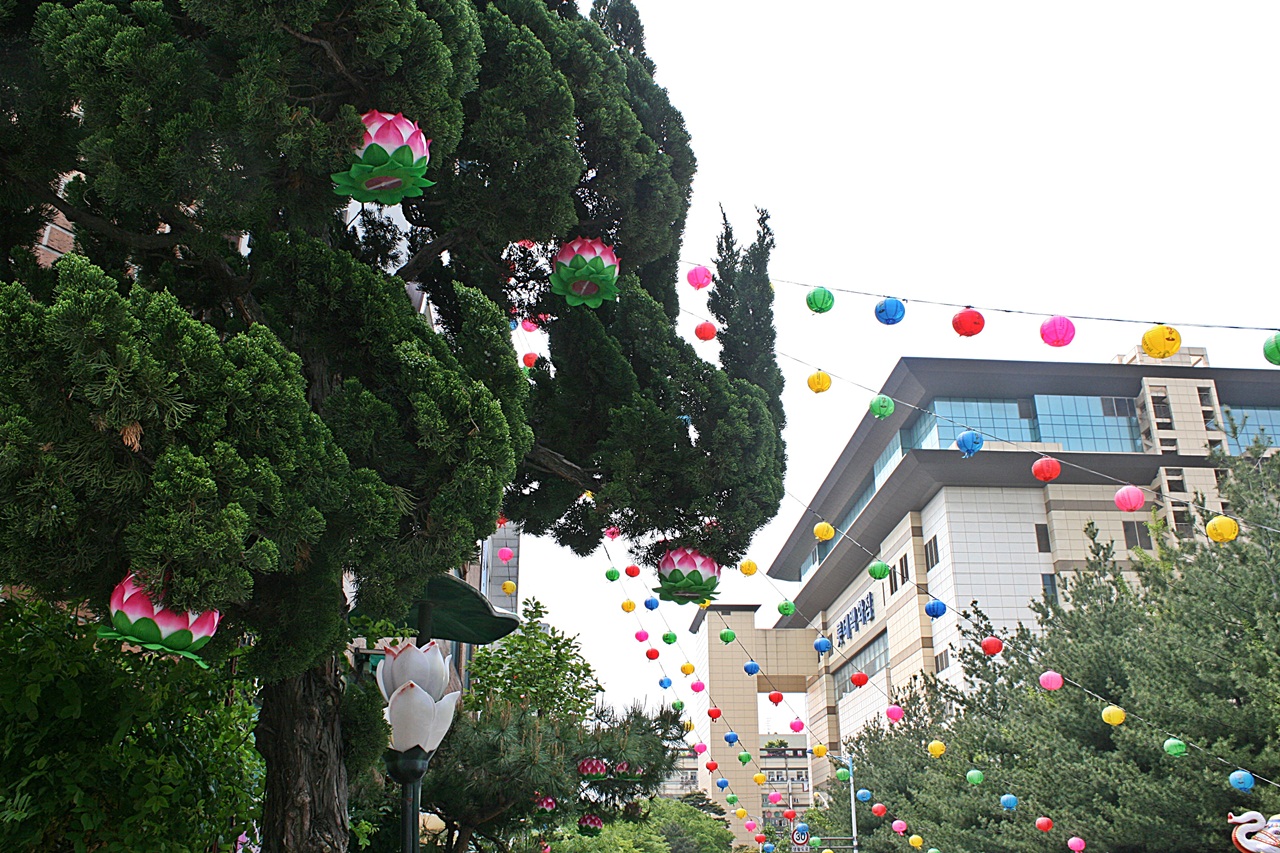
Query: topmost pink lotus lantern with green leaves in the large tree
{"x": 391, "y": 162}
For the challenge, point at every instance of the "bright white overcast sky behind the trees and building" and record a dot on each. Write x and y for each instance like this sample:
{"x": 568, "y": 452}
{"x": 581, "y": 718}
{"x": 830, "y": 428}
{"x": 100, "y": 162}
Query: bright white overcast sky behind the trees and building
{"x": 1114, "y": 159}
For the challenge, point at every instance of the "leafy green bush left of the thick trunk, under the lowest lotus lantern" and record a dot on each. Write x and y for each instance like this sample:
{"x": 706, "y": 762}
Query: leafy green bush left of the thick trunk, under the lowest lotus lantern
{"x": 109, "y": 751}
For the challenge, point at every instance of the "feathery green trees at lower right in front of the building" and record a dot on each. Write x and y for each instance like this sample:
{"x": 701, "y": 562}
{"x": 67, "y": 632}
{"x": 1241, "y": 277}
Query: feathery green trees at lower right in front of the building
{"x": 1188, "y": 646}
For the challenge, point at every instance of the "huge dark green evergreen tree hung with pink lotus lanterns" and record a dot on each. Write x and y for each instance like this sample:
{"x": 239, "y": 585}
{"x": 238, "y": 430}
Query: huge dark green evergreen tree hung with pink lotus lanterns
{"x": 240, "y": 428}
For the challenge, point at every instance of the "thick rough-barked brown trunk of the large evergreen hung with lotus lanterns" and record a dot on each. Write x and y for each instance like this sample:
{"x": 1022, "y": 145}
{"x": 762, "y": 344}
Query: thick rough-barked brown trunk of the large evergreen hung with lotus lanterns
{"x": 300, "y": 736}
